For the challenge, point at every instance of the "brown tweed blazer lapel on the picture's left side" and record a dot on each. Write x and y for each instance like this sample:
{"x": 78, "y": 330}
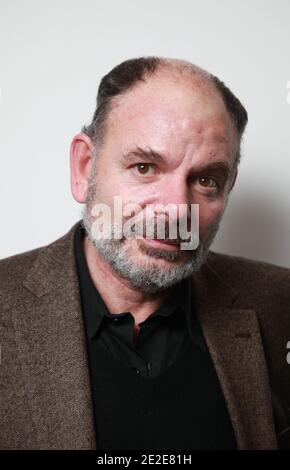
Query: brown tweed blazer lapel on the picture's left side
{"x": 52, "y": 349}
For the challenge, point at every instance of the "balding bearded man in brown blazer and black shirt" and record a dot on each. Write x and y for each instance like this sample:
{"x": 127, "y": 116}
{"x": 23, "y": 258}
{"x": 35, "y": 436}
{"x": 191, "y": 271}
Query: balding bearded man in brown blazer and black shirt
{"x": 131, "y": 342}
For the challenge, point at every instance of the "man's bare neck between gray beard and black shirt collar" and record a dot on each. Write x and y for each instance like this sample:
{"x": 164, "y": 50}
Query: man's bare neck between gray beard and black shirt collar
{"x": 118, "y": 294}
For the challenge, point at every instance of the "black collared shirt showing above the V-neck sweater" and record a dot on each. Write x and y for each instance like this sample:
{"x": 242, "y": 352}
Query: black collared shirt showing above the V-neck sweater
{"x": 161, "y": 335}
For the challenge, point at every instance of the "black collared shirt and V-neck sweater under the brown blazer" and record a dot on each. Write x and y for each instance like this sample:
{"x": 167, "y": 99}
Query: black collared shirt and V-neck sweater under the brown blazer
{"x": 169, "y": 354}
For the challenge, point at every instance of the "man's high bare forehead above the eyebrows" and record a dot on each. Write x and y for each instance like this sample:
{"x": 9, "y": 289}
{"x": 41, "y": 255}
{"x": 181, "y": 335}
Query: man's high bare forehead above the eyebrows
{"x": 169, "y": 111}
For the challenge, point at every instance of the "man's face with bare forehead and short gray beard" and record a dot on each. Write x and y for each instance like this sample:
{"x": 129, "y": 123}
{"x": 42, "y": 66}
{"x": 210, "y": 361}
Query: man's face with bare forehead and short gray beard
{"x": 168, "y": 141}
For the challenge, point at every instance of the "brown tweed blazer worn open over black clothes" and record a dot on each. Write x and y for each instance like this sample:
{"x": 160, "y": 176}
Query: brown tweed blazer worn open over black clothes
{"x": 244, "y": 310}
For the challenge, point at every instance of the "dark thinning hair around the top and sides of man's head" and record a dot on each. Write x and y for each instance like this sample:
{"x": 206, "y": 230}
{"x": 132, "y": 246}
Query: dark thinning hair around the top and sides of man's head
{"x": 127, "y": 74}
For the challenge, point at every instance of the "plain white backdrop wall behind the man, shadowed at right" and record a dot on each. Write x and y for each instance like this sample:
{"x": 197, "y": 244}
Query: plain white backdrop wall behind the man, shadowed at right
{"x": 53, "y": 54}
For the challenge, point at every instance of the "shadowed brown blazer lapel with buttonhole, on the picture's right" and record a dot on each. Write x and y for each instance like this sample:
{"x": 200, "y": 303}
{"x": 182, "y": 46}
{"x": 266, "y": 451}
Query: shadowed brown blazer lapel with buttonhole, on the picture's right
{"x": 233, "y": 338}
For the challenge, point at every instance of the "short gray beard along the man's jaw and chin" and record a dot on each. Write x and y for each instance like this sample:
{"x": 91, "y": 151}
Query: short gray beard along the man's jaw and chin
{"x": 144, "y": 276}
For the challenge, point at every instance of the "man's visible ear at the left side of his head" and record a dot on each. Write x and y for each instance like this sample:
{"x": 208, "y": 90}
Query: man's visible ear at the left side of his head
{"x": 81, "y": 150}
